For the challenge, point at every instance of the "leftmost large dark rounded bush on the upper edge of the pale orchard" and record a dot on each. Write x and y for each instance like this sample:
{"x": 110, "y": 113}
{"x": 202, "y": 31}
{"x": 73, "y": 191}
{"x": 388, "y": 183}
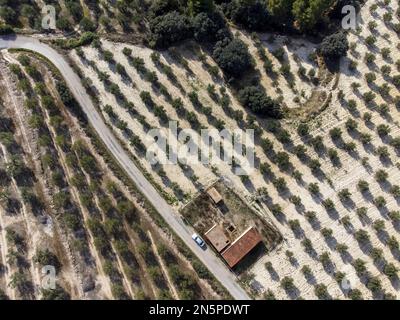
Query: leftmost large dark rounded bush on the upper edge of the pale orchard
{"x": 169, "y": 29}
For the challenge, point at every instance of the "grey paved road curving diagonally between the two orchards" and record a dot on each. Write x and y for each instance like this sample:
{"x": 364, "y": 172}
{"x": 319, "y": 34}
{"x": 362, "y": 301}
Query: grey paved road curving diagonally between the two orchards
{"x": 213, "y": 263}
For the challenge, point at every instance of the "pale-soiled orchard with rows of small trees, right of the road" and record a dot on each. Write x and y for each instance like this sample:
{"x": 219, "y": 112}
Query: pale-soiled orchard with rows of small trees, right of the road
{"x": 328, "y": 174}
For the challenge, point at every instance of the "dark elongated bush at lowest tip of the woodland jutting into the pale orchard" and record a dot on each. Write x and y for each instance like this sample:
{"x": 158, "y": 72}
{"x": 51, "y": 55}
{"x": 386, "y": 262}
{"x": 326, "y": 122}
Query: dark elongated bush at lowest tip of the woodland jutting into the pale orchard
{"x": 258, "y": 102}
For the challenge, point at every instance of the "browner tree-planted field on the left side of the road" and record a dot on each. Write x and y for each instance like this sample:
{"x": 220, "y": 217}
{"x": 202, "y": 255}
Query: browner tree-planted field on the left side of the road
{"x": 63, "y": 206}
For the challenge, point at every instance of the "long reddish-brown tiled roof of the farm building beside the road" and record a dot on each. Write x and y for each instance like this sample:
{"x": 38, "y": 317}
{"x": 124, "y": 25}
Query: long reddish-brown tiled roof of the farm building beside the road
{"x": 241, "y": 246}
